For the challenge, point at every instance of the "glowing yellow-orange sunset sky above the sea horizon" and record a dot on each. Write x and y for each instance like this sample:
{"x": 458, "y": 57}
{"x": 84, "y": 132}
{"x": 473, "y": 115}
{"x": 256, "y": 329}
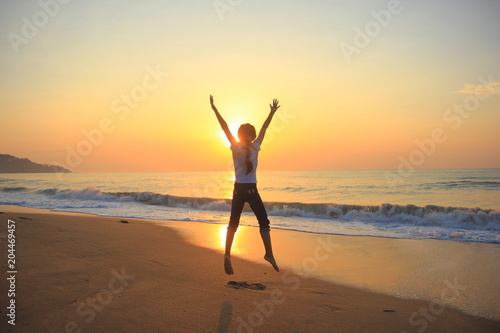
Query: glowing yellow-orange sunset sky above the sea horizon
{"x": 102, "y": 69}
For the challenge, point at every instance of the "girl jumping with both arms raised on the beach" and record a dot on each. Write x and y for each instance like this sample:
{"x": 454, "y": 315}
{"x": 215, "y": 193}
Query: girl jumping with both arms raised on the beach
{"x": 245, "y": 153}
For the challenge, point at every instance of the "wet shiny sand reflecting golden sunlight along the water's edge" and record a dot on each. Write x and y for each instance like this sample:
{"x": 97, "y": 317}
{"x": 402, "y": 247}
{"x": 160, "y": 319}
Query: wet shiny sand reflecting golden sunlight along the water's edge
{"x": 406, "y": 268}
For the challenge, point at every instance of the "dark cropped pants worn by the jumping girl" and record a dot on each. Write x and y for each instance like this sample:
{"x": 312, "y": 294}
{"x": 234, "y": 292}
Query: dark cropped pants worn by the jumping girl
{"x": 247, "y": 192}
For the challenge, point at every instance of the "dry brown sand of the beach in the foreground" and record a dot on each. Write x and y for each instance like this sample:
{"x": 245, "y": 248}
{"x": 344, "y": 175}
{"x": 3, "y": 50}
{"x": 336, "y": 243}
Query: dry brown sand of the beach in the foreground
{"x": 82, "y": 273}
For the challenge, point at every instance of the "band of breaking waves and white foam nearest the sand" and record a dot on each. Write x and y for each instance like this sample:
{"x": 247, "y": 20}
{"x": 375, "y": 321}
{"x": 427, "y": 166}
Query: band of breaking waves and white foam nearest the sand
{"x": 386, "y": 220}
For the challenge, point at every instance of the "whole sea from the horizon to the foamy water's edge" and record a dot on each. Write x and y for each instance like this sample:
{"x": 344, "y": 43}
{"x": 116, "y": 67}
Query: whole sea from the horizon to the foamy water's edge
{"x": 446, "y": 204}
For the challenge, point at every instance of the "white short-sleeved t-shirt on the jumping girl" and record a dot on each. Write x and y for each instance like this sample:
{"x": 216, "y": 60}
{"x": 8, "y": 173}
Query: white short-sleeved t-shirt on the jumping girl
{"x": 239, "y": 160}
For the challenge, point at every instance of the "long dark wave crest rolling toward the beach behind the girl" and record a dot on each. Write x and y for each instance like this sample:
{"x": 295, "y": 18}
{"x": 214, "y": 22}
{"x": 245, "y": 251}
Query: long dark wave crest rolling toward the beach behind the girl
{"x": 384, "y": 215}
